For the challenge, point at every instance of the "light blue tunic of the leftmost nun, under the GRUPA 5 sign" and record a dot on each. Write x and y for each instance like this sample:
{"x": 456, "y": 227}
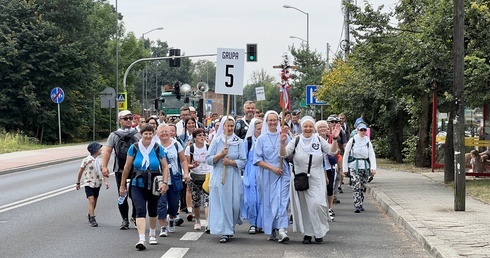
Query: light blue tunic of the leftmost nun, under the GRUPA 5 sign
{"x": 225, "y": 199}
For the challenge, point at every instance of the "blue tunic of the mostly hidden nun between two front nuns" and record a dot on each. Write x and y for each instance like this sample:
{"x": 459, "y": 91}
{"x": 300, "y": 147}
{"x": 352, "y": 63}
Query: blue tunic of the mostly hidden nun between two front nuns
{"x": 251, "y": 197}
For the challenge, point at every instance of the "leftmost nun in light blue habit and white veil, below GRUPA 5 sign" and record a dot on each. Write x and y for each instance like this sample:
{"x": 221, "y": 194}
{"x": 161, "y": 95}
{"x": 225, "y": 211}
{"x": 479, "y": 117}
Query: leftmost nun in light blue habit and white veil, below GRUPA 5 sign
{"x": 227, "y": 155}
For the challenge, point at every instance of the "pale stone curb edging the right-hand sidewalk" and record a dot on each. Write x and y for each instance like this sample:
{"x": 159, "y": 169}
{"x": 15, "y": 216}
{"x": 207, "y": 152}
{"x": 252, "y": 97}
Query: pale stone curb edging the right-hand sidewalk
{"x": 426, "y": 238}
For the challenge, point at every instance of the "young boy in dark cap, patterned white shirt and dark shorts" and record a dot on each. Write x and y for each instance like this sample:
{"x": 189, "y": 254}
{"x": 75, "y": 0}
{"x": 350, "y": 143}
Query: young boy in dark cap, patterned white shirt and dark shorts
{"x": 91, "y": 169}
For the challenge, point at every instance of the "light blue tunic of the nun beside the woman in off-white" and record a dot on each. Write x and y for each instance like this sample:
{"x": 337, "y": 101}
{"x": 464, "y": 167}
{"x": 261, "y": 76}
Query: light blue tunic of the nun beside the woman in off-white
{"x": 273, "y": 188}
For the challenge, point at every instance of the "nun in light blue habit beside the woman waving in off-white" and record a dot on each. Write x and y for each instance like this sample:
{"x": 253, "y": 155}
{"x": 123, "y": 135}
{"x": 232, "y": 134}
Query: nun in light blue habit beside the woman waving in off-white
{"x": 274, "y": 179}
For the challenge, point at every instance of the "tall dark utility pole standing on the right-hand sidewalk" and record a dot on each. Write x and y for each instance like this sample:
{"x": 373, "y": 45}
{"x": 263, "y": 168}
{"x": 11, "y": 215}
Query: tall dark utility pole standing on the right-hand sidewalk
{"x": 458, "y": 87}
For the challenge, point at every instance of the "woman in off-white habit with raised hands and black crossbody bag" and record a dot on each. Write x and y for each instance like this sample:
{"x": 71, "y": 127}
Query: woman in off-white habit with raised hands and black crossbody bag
{"x": 309, "y": 207}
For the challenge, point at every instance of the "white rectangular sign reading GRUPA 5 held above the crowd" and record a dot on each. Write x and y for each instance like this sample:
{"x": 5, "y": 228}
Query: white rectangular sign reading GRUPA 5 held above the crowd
{"x": 229, "y": 71}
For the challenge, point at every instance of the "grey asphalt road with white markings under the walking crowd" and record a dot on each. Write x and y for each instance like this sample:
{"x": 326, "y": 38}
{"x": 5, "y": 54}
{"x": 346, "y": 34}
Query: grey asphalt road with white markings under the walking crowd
{"x": 42, "y": 215}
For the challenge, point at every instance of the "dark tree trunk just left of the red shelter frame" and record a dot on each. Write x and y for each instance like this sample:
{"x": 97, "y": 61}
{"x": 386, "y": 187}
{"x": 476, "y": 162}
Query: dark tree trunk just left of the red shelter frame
{"x": 423, "y": 133}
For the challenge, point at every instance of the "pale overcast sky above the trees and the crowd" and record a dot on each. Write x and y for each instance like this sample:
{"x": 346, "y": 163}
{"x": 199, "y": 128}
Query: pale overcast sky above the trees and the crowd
{"x": 200, "y": 27}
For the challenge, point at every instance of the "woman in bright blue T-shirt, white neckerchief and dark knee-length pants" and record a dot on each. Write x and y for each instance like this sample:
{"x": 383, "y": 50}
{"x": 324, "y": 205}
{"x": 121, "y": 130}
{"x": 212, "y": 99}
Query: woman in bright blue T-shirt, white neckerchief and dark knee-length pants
{"x": 148, "y": 159}
